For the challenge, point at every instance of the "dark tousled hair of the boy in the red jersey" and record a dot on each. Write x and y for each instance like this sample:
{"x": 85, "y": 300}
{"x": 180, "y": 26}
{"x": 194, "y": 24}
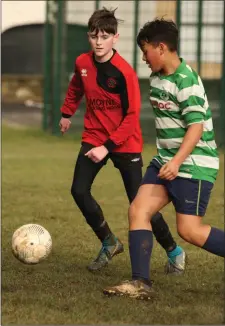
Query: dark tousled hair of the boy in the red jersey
{"x": 103, "y": 20}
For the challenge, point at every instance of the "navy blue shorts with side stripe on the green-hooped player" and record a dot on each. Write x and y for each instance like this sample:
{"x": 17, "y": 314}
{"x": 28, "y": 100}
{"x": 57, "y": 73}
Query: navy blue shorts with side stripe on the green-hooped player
{"x": 189, "y": 196}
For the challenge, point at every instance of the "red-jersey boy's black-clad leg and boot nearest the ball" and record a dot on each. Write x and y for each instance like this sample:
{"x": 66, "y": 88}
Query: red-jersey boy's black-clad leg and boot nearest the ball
{"x": 84, "y": 175}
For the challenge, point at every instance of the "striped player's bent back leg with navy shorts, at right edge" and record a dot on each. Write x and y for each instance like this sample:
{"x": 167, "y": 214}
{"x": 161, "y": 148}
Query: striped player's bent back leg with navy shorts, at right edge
{"x": 191, "y": 198}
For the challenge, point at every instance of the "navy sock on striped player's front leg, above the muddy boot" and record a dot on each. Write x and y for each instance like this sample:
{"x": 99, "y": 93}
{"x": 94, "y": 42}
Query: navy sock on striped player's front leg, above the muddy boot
{"x": 140, "y": 247}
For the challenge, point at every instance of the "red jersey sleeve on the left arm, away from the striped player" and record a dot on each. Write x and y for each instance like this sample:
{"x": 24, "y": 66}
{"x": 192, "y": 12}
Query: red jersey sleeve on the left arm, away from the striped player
{"x": 74, "y": 95}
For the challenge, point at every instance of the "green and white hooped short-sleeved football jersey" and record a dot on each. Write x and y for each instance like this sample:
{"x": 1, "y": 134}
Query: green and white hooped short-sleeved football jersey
{"x": 179, "y": 100}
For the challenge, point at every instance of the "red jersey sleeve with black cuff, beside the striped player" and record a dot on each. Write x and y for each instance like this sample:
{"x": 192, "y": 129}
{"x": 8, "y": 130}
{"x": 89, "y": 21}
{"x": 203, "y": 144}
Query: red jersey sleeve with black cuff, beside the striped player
{"x": 128, "y": 125}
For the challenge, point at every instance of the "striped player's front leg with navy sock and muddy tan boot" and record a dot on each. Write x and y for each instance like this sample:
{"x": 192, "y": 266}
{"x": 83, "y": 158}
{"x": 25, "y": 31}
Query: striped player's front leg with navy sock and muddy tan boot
{"x": 151, "y": 197}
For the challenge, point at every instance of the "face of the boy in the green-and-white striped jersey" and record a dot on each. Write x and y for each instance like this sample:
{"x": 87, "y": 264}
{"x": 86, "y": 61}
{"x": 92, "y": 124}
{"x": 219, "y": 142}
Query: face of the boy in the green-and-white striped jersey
{"x": 153, "y": 56}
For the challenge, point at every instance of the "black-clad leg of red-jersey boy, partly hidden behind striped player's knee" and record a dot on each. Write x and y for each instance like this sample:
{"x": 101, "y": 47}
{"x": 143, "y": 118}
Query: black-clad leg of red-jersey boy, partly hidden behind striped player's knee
{"x": 131, "y": 173}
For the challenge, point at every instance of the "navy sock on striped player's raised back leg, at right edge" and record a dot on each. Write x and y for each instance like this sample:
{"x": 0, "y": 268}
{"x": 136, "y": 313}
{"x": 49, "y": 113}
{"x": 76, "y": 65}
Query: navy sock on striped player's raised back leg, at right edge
{"x": 215, "y": 242}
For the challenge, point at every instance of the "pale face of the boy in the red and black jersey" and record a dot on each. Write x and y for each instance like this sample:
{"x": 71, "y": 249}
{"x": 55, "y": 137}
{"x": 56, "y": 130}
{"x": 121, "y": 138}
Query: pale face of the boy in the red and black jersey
{"x": 102, "y": 43}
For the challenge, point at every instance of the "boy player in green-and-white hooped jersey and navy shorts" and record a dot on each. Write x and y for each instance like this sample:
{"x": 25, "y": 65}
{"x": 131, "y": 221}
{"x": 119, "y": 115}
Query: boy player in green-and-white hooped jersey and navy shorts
{"x": 185, "y": 168}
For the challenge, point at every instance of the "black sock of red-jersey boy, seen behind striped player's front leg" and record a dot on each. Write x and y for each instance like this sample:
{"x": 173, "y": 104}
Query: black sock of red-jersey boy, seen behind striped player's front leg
{"x": 162, "y": 233}
